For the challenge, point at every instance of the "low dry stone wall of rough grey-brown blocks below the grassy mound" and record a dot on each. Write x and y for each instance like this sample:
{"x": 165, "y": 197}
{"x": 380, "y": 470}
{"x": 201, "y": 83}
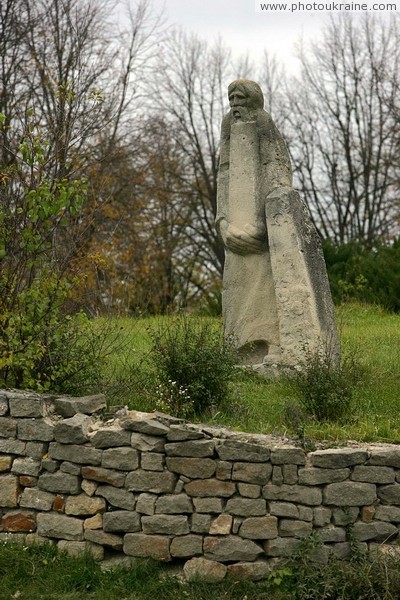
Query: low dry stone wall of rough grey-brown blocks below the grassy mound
{"x": 149, "y": 485}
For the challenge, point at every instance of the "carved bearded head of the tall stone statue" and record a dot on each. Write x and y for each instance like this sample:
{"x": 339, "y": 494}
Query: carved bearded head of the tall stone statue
{"x": 245, "y": 99}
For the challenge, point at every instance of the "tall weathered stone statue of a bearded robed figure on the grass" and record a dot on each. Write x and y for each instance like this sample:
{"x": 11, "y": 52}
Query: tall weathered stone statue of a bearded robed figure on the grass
{"x": 276, "y": 299}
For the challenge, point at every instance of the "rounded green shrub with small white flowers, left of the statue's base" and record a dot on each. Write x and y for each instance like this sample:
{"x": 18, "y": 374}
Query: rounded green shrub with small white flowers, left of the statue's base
{"x": 194, "y": 365}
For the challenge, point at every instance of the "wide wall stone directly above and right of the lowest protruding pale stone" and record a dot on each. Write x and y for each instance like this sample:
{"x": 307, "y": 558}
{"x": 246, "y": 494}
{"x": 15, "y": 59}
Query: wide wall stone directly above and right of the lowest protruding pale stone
{"x": 231, "y": 548}
